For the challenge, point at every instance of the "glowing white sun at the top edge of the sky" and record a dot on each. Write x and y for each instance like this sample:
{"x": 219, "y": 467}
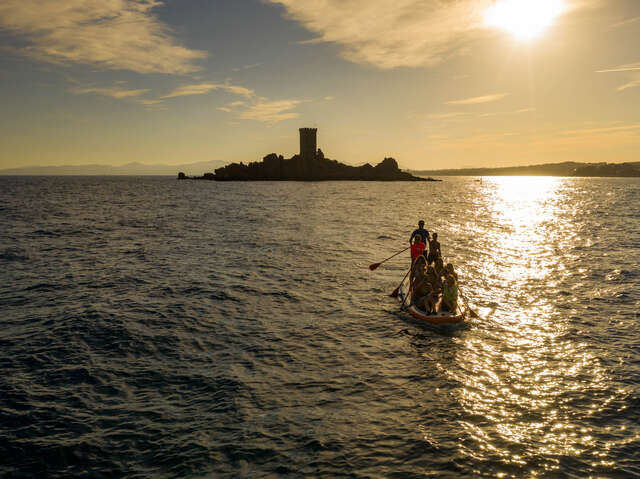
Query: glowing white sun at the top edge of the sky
{"x": 524, "y": 19}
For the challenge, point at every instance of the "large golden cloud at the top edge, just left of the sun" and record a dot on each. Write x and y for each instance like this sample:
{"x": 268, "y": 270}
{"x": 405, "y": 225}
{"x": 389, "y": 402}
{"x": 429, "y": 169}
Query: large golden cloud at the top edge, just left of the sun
{"x": 402, "y": 33}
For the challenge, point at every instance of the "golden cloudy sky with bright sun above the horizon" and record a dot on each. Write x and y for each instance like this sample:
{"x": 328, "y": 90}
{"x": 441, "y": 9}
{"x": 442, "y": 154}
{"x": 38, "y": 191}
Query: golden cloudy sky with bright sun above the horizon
{"x": 433, "y": 83}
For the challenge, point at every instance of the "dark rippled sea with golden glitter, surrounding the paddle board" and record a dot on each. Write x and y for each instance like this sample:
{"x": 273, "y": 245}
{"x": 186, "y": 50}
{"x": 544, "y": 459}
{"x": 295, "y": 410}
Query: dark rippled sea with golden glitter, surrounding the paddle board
{"x": 155, "y": 328}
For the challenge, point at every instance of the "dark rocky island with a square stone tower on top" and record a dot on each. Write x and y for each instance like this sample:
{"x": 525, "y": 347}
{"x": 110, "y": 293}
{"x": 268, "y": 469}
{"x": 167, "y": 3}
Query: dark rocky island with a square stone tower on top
{"x": 309, "y": 165}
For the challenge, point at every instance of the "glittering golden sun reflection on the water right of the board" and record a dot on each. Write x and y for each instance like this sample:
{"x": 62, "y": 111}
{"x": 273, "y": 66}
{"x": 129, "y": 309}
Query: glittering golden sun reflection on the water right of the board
{"x": 522, "y": 376}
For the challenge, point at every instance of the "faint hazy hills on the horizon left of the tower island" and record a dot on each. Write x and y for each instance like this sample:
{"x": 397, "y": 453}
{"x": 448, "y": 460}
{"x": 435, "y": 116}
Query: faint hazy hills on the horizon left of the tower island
{"x": 198, "y": 168}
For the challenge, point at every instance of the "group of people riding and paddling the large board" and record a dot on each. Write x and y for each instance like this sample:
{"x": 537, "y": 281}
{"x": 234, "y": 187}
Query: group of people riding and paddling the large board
{"x": 433, "y": 286}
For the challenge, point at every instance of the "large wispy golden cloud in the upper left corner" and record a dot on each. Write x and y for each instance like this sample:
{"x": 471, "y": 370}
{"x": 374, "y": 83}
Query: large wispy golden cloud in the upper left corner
{"x": 109, "y": 34}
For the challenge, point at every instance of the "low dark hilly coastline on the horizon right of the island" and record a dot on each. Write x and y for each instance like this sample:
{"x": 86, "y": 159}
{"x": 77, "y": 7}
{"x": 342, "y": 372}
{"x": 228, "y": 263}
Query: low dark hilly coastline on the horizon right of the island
{"x": 568, "y": 168}
